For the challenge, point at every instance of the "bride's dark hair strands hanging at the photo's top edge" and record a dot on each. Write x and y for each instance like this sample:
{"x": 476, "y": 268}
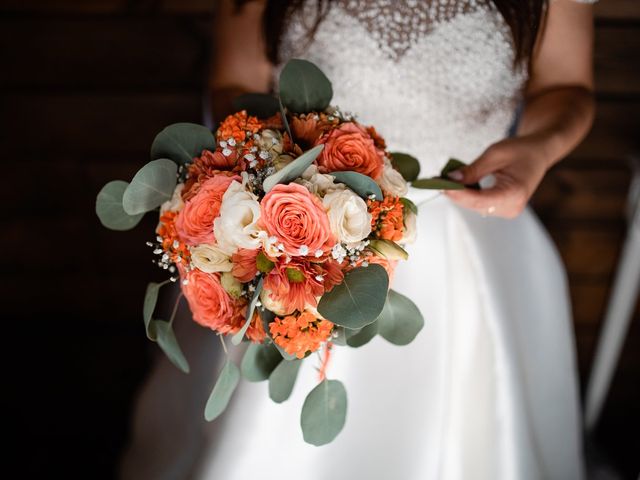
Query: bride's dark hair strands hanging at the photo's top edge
{"x": 524, "y": 17}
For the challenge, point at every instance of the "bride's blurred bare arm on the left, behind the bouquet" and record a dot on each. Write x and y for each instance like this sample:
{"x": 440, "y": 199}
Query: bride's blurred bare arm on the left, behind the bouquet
{"x": 239, "y": 63}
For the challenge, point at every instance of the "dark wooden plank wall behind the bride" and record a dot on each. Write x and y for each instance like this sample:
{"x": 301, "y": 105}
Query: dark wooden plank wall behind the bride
{"x": 85, "y": 86}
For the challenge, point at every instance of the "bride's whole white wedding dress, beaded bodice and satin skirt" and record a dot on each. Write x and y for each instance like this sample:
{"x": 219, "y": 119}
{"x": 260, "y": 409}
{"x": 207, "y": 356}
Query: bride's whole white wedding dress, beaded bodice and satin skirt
{"x": 488, "y": 389}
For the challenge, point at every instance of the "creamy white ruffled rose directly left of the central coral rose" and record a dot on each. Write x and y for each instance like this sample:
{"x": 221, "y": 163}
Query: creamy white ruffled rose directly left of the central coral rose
{"x": 236, "y": 226}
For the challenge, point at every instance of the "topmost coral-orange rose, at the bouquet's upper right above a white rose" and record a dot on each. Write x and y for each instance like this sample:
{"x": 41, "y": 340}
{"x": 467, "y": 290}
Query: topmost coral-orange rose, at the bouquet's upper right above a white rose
{"x": 350, "y": 147}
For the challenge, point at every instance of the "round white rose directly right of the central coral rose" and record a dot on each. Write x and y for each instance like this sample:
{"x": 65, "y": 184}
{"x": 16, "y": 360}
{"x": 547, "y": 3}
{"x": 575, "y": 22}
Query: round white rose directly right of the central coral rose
{"x": 348, "y": 216}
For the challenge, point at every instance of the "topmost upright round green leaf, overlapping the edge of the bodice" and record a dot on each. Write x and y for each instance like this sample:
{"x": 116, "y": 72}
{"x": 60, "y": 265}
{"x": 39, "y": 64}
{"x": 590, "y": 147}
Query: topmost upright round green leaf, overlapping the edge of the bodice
{"x": 303, "y": 87}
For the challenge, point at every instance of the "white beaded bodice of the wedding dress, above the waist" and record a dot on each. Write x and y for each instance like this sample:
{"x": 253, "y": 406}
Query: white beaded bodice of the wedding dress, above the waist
{"x": 436, "y": 78}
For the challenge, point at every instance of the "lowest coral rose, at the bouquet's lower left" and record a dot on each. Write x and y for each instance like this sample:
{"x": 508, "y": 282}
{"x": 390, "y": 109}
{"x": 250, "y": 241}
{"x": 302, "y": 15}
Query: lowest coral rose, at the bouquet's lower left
{"x": 210, "y": 304}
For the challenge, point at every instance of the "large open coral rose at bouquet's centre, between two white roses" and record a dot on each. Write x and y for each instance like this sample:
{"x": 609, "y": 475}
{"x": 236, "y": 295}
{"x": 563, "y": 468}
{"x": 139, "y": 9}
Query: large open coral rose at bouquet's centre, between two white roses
{"x": 297, "y": 219}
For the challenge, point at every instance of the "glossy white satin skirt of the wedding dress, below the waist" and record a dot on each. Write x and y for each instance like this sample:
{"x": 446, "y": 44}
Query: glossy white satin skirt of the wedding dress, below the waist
{"x": 487, "y": 390}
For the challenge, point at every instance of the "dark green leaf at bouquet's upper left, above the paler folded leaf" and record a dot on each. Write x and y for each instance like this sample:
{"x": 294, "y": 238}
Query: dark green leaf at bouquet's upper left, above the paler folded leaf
{"x": 181, "y": 142}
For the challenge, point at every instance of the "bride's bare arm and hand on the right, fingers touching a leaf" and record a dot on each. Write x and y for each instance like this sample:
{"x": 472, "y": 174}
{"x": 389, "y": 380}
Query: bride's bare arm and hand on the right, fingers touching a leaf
{"x": 558, "y": 113}
